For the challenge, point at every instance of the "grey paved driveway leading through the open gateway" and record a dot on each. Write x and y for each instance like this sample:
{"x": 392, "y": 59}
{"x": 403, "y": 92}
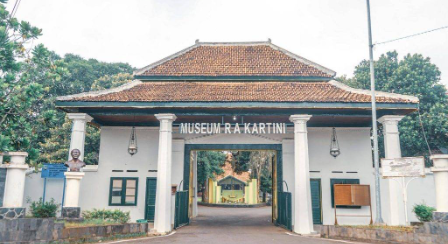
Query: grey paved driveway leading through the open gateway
{"x": 232, "y": 225}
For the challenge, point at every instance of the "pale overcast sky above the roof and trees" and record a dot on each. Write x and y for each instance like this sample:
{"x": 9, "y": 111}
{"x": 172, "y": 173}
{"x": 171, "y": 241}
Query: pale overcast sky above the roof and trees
{"x": 332, "y": 33}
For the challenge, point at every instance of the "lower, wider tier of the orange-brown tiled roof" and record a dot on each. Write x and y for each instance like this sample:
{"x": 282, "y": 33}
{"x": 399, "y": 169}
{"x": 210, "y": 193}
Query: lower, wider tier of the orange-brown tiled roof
{"x": 224, "y": 91}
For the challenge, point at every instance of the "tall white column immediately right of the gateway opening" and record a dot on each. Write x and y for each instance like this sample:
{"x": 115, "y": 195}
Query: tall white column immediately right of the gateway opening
{"x": 303, "y": 215}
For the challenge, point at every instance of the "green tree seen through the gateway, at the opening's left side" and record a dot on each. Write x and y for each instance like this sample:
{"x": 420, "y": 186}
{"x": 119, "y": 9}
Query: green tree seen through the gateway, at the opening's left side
{"x": 209, "y": 166}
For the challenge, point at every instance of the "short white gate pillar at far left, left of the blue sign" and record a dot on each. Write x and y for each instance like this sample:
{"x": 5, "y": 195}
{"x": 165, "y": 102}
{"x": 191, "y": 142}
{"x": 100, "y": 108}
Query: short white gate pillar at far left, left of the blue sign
{"x": 15, "y": 180}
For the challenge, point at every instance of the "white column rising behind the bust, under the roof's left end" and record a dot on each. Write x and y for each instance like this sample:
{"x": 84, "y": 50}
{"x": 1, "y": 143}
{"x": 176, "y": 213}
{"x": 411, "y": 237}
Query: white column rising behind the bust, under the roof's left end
{"x": 78, "y": 136}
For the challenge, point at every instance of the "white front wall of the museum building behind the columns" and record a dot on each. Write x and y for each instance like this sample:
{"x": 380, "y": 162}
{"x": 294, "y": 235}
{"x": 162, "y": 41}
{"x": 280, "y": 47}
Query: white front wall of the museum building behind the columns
{"x": 355, "y": 156}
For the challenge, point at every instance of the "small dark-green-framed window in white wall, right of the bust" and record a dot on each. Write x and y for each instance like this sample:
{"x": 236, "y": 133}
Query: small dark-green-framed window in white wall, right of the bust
{"x": 123, "y": 191}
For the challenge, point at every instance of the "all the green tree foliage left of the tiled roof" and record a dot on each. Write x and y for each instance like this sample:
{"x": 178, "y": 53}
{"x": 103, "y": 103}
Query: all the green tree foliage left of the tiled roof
{"x": 31, "y": 77}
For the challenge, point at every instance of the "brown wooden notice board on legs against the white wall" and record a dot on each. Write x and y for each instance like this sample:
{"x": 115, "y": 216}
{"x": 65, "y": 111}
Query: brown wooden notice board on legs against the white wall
{"x": 352, "y": 195}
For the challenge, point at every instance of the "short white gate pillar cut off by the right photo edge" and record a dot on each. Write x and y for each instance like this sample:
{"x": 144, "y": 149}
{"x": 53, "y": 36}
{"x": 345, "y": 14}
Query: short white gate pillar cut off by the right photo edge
{"x": 440, "y": 171}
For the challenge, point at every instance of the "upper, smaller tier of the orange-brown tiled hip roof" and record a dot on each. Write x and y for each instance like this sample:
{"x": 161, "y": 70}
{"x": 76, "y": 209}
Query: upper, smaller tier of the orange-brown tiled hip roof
{"x": 235, "y": 59}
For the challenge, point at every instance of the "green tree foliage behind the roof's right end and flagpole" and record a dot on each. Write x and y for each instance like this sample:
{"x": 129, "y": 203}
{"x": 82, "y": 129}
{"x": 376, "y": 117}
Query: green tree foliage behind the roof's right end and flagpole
{"x": 413, "y": 75}
